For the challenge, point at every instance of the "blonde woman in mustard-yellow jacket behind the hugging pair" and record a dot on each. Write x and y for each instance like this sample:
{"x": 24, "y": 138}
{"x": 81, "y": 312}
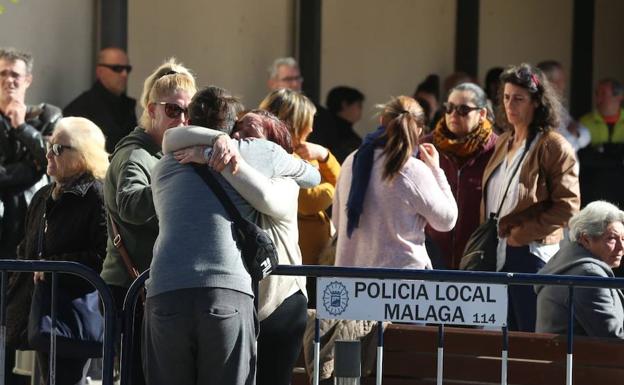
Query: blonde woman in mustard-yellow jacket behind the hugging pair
{"x": 297, "y": 111}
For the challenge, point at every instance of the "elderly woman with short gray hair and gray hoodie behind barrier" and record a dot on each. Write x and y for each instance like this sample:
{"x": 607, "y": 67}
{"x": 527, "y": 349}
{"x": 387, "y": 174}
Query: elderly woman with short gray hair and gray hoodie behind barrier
{"x": 596, "y": 247}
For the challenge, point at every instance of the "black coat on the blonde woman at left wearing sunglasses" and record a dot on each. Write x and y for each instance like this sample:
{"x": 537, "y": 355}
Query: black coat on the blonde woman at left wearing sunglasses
{"x": 75, "y": 231}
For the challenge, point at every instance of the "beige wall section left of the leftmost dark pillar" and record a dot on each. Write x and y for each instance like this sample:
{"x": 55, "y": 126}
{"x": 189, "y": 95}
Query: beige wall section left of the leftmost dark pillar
{"x": 61, "y": 36}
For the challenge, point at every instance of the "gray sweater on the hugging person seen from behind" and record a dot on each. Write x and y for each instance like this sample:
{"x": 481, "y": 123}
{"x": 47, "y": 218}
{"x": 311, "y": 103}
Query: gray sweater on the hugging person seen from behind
{"x": 195, "y": 246}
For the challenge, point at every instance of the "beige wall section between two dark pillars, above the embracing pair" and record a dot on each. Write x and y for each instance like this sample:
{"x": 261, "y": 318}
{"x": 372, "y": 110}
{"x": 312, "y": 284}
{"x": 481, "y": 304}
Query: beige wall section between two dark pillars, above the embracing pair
{"x": 229, "y": 44}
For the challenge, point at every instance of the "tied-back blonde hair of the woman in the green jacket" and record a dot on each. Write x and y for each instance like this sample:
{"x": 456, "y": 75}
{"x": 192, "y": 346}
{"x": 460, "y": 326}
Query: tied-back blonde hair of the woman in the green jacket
{"x": 167, "y": 79}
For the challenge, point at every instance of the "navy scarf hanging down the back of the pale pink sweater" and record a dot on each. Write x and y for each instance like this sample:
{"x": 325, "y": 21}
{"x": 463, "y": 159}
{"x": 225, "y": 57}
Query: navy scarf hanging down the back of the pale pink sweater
{"x": 361, "y": 170}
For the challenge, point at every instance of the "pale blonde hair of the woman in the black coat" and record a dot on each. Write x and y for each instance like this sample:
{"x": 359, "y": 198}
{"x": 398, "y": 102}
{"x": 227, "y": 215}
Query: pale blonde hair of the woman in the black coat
{"x": 88, "y": 141}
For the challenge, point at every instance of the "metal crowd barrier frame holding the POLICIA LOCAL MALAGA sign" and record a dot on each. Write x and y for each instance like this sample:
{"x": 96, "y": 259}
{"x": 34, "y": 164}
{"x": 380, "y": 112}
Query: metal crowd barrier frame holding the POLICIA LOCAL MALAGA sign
{"x": 403, "y": 274}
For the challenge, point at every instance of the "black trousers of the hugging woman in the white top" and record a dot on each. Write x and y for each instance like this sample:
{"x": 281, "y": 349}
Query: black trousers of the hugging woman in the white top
{"x": 280, "y": 340}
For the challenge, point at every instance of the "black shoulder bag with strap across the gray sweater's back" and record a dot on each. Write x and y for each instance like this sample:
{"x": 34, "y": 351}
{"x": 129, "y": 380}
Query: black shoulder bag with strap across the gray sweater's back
{"x": 258, "y": 251}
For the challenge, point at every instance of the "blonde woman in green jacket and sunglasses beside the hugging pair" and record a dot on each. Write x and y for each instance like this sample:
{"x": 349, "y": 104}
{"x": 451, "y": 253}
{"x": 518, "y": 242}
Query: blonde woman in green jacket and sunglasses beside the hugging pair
{"x": 127, "y": 187}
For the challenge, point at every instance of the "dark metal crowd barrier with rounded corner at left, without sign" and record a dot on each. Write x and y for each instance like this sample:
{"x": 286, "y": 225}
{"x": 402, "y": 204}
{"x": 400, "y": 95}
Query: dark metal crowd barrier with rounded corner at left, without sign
{"x": 56, "y": 267}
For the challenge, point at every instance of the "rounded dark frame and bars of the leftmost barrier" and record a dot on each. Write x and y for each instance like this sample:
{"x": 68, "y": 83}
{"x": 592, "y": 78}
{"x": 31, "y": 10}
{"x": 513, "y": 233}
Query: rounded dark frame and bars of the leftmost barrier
{"x": 89, "y": 275}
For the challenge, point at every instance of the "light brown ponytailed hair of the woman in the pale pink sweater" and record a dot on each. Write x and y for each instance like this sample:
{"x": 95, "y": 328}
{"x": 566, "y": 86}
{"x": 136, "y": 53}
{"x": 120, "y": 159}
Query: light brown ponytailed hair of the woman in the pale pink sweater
{"x": 403, "y": 120}
